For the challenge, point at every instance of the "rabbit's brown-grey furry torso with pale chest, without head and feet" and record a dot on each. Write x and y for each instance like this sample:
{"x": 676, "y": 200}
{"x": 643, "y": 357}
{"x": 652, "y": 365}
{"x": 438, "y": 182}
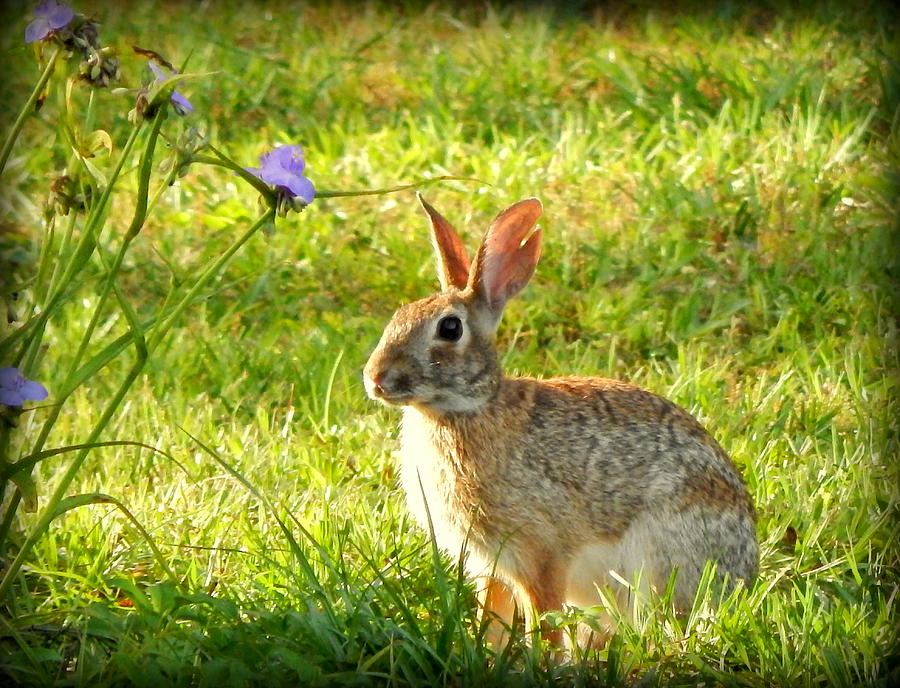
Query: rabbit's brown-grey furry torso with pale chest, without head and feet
{"x": 565, "y": 465}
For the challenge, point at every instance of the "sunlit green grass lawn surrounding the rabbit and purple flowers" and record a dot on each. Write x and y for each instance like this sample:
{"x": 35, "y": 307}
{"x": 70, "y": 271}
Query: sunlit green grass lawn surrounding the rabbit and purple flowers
{"x": 720, "y": 227}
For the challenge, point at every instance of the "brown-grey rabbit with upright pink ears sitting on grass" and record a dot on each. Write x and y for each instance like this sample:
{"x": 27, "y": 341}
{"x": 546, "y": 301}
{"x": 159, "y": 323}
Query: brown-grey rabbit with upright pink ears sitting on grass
{"x": 549, "y": 488}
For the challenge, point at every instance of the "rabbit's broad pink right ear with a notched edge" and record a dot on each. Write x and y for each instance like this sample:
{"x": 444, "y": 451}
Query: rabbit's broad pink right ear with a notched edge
{"x": 506, "y": 259}
